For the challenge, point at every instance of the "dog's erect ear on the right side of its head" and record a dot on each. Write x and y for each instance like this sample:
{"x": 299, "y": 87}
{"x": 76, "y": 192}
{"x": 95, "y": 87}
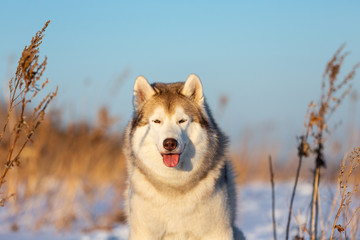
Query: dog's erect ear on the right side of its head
{"x": 193, "y": 89}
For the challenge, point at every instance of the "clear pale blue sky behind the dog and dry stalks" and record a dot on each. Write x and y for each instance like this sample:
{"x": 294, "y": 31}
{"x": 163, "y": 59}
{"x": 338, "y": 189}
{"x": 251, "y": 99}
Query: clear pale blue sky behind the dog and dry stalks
{"x": 268, "y": 57}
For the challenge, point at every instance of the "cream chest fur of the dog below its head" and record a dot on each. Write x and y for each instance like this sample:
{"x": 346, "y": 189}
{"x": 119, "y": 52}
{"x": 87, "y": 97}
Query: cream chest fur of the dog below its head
{"x": 188, "y": 216}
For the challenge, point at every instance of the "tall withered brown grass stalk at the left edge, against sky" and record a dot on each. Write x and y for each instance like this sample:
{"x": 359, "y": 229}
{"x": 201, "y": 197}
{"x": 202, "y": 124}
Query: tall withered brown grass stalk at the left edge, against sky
{"x": 24, "y": 87}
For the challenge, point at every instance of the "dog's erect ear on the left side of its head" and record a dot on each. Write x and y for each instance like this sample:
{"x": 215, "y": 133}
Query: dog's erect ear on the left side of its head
{"x": 142, "y": 91}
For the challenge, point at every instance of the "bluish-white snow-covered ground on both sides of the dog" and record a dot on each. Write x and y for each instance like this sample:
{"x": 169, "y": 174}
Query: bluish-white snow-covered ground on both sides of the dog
{"x": 254, "y": 215}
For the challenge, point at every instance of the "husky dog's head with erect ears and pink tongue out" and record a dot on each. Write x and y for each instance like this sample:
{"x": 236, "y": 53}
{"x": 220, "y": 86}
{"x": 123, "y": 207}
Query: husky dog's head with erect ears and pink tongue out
{"x": 170, "y": 127}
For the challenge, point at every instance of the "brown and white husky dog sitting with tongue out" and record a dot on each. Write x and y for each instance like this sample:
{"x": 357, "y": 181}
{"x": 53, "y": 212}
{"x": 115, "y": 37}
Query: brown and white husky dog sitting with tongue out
{"x": 180, "y": 181}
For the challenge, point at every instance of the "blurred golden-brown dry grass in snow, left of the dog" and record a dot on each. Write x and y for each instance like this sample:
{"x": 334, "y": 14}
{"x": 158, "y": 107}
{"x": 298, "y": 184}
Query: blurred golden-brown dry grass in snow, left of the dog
{"x": 73, "y": 168}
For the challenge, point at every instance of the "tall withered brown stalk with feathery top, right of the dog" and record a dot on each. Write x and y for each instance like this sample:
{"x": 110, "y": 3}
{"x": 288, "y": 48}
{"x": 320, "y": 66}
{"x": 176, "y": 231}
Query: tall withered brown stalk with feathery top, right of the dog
{"x": 333, "y": 93}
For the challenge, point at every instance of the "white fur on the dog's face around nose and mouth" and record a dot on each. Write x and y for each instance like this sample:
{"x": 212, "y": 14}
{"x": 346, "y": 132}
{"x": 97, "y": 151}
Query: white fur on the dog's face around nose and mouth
{"x": 148, "y": 144}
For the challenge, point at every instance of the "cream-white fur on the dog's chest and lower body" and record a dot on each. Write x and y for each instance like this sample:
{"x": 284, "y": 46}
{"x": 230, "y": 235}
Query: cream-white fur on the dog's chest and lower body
{"x": 155, "y": 214}
